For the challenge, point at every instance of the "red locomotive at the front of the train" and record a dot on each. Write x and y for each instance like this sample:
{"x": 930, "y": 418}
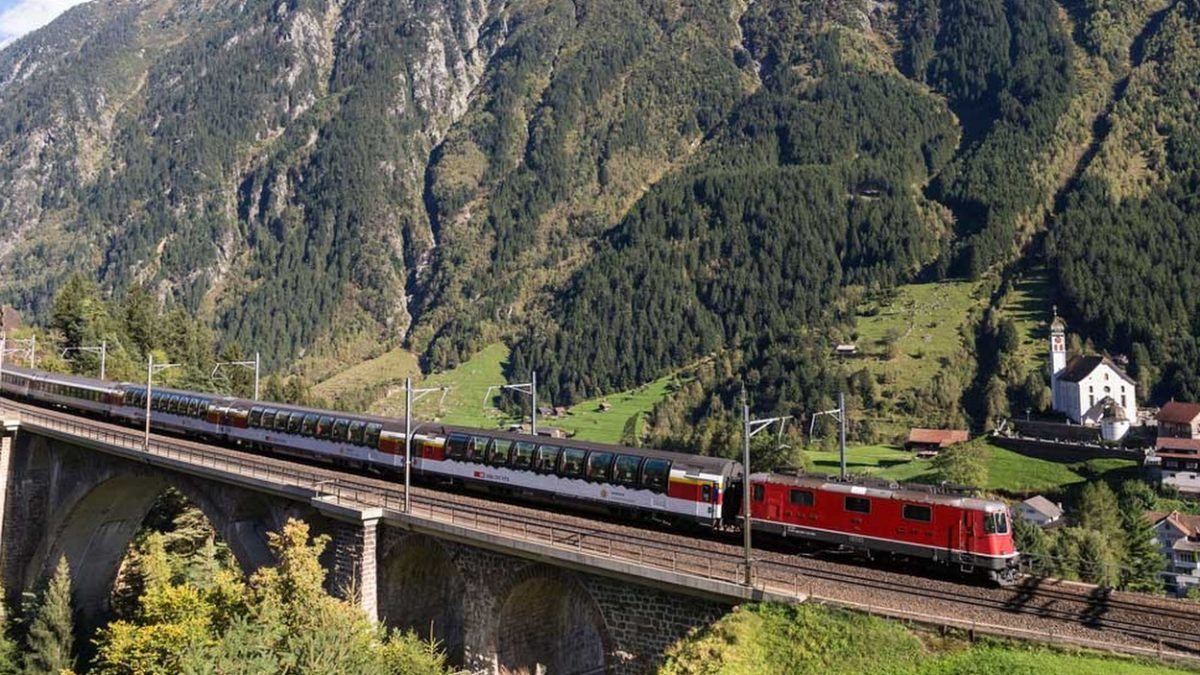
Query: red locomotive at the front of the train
{"x": 911, "y": 522}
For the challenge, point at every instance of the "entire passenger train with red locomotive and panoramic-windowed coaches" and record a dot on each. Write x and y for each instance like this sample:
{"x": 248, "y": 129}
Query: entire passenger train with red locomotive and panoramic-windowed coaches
{"x": 934, "y": 524}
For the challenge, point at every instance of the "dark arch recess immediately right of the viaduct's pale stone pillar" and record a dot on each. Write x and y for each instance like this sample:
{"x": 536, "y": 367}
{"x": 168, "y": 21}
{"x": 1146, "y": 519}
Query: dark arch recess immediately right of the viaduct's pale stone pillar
{"x": 422, "y": 590}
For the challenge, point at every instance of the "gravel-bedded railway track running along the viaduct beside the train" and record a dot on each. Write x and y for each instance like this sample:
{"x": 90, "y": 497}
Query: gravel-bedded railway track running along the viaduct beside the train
{"x": 1042, "y": 607}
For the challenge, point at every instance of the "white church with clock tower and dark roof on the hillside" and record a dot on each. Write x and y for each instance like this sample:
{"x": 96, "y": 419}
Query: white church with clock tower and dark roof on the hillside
{"x": 1090, "y": 390}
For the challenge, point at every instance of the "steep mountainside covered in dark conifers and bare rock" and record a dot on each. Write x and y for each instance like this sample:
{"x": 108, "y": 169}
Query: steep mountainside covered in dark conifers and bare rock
{"x": 617, "y": 189}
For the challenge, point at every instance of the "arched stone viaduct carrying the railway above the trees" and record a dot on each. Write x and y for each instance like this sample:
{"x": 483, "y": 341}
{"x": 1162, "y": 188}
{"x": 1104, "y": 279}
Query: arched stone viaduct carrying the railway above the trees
{"x": 496, "y": 606}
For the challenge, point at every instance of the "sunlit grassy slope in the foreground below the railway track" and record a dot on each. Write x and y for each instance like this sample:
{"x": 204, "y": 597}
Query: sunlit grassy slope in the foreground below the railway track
{"x": 809, "y": 640}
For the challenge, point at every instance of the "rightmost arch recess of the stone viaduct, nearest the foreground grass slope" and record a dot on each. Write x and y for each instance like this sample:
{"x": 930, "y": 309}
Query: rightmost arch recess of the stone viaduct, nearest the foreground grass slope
{"x": 550, "y": 624}
